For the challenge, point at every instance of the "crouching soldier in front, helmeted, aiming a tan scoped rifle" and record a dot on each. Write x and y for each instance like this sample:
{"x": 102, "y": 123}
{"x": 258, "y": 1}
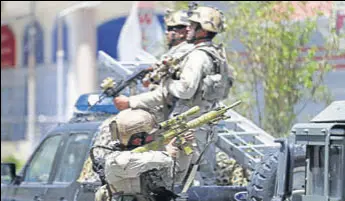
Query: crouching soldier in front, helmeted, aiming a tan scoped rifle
{"x": 149, "y": 175}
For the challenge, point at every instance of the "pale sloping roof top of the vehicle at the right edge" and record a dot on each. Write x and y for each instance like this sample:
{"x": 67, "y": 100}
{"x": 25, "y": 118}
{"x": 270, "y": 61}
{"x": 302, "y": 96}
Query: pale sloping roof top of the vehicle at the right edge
{"x": 335, "y": 112}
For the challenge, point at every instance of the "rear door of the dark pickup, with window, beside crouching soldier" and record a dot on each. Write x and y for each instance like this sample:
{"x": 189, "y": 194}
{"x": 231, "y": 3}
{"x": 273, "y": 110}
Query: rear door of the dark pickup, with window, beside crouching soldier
{"x": 69, "y": 164}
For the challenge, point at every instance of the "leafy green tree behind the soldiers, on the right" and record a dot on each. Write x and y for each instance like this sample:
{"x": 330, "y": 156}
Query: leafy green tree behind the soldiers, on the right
{"x": 275, "y": 60}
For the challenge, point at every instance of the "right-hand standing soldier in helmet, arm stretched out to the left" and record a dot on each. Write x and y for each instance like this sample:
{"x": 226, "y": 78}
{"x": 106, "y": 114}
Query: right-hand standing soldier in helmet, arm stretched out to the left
{"x": 179, "y": 95}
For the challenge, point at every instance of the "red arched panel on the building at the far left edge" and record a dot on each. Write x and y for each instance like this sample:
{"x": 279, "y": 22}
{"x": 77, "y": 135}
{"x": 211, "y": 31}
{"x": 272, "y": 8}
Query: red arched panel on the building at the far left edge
{"x": 8, "y": 48}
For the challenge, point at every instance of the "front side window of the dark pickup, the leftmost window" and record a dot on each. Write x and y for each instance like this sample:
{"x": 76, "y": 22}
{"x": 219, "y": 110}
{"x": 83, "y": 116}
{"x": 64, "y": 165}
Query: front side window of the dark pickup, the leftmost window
{"x": 41, "y": 164}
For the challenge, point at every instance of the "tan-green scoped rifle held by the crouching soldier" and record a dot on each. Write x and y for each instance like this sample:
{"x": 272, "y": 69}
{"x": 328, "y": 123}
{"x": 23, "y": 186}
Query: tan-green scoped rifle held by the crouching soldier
{"x": 176, "y": 130}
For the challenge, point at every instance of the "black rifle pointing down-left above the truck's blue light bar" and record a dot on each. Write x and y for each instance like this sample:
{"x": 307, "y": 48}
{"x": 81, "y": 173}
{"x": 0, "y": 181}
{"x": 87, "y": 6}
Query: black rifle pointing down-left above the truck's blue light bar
{"x": 111, "y": 89}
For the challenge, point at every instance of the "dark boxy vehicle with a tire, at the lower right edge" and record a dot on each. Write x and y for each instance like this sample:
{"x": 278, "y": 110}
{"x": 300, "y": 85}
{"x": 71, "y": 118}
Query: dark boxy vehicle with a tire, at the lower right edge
{"x": 321, "y": 162}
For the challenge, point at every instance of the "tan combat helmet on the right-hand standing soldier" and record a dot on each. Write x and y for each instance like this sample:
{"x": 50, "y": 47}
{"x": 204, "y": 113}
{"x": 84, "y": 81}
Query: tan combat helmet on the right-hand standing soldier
{"x": 210, "y": 19}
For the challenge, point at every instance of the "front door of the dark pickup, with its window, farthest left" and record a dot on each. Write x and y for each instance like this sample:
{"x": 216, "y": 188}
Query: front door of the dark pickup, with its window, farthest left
{"x": 37, "y": 172}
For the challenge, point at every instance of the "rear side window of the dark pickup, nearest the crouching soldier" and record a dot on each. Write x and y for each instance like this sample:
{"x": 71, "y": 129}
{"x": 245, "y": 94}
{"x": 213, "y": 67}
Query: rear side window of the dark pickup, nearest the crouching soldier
{"x": 73, "y": 157}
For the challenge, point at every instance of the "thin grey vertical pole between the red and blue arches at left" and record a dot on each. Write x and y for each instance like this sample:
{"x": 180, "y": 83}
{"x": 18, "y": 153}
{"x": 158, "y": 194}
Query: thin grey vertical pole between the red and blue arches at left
{"x": 31, "y": 126}
